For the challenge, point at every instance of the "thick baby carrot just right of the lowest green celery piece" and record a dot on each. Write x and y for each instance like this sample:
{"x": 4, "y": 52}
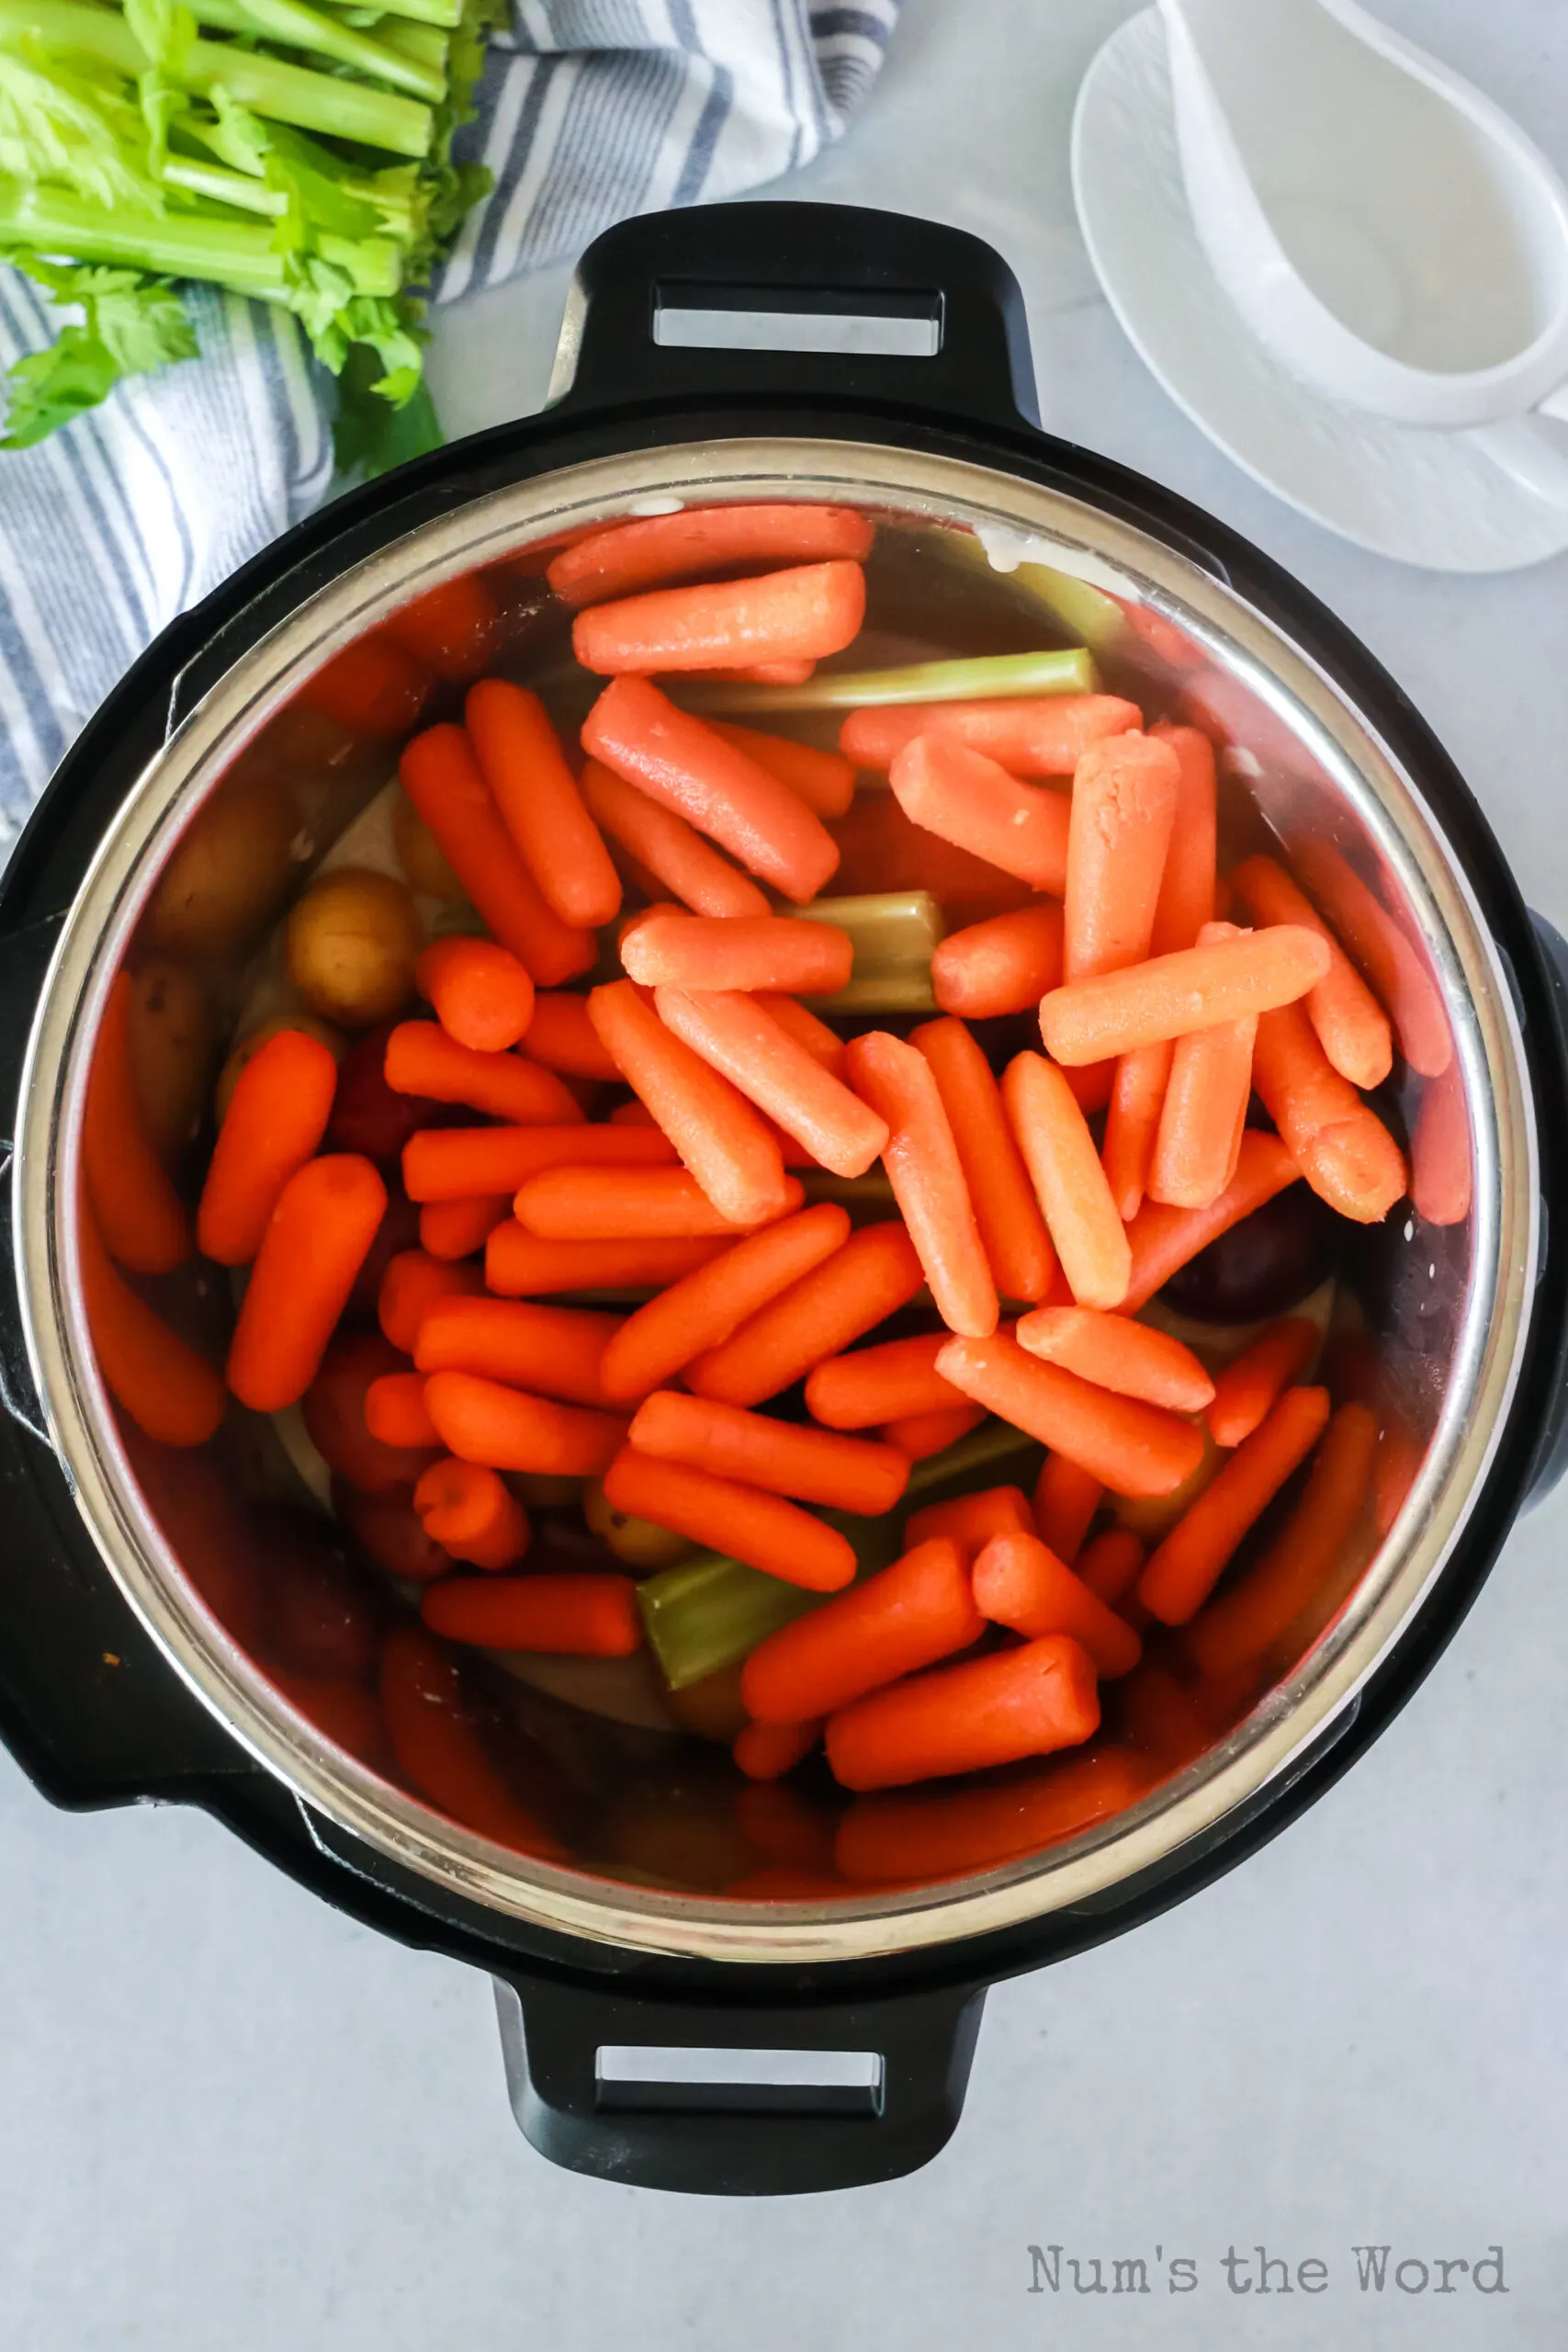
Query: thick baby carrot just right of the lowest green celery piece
{"x": 890, "y": 1626}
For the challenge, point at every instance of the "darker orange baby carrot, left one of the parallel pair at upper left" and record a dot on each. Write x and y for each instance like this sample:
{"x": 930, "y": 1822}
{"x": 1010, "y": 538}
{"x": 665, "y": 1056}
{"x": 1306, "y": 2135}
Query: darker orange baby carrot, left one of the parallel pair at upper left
{"x": 443, "y": 780}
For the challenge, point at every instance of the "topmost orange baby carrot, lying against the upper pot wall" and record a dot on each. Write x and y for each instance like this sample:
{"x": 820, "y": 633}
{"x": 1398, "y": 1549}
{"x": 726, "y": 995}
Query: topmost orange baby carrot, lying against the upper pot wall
{"x": 655, "y": 549}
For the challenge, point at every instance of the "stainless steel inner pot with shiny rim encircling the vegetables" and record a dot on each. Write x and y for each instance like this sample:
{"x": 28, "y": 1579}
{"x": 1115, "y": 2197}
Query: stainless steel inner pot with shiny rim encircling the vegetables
{"x": 965, "y": 549}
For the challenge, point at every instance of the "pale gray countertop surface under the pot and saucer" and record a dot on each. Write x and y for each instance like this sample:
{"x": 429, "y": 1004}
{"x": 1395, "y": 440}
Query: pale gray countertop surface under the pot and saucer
{"x": 234, "y": 2120}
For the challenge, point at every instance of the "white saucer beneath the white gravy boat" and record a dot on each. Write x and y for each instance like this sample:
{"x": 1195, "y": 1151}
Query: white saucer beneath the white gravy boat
{"x": 1428, "y": 500}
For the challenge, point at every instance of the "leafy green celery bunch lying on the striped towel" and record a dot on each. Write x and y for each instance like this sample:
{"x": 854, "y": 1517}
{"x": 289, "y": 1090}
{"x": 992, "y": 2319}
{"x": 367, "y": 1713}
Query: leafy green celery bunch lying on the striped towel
{"x": 297, "y": 152}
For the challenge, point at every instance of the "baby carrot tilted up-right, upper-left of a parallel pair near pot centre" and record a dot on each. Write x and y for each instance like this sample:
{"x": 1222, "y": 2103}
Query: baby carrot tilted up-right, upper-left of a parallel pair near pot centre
{"x": 702, "y": 1309}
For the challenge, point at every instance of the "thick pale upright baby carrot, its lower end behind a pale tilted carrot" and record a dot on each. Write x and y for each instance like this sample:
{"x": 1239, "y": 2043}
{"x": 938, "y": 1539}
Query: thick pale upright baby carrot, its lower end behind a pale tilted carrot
{"x": 1123, "y": 813}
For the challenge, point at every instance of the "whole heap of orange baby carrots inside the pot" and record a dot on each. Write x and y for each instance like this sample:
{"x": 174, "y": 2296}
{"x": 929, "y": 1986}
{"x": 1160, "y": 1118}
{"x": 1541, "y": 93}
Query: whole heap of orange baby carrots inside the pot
{"x": 659, "y": 1128}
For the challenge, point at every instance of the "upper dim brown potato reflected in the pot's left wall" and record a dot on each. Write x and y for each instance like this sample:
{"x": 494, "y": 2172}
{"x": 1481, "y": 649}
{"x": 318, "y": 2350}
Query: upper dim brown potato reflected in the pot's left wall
{"x": 229, "y": 876}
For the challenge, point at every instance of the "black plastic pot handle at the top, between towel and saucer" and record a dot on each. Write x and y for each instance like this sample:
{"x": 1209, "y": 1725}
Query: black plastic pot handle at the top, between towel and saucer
{"x": 916, "y": 279}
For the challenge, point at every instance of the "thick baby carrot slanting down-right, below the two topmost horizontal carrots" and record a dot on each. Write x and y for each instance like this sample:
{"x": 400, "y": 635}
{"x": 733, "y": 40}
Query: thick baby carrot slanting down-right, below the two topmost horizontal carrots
{"x": 681, "y": 763}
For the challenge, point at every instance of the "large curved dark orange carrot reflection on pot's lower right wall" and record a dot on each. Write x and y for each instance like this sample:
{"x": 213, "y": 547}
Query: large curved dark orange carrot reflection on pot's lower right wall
{"x": 1299, "y": 1565}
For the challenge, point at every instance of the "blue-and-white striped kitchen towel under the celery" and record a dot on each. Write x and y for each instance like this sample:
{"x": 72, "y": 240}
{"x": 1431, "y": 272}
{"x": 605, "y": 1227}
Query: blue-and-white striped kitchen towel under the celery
{"x": 589, "y": 112}
